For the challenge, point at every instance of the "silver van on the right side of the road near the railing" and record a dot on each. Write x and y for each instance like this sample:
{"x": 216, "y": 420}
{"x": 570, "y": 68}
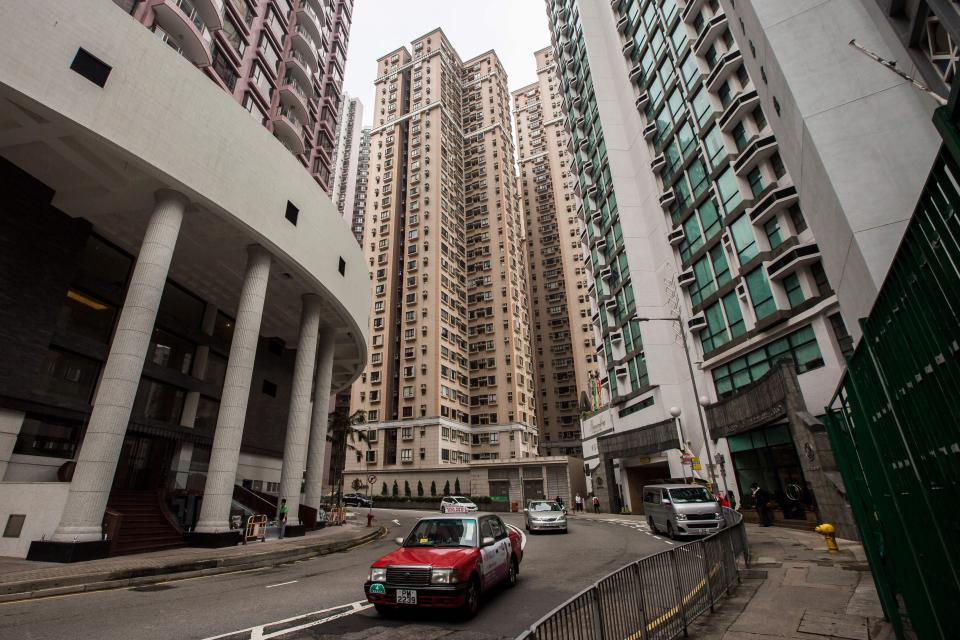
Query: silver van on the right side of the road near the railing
{"x": 681, "y": 510}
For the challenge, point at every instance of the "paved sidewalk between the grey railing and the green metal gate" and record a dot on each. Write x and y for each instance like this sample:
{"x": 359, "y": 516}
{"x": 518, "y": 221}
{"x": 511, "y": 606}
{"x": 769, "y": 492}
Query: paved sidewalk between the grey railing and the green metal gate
{"x": 794, "y": 588}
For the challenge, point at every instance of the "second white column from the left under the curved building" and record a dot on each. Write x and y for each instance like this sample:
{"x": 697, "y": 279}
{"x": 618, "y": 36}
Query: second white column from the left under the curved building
{"x": 225, "y": 453}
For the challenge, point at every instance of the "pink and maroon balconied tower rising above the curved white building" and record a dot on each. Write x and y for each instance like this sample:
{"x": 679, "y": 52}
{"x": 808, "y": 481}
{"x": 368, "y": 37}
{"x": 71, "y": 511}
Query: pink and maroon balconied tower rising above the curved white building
{"x": 283, "y": 60}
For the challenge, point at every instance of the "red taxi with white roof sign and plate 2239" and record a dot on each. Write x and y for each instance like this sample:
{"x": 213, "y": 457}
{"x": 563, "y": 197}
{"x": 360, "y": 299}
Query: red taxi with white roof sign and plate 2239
{"x": 445, "y": 562}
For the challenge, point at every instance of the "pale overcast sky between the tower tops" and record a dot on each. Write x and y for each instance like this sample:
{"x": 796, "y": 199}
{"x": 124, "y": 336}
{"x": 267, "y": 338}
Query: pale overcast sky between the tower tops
{"x": 514, "y": 28}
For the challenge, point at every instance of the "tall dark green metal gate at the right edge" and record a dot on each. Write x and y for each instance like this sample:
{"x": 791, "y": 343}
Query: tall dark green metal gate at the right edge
{"x": 895, "y": 422}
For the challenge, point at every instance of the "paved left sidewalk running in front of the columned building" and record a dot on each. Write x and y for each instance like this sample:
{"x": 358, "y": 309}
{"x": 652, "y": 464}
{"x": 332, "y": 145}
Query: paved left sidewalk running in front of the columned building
{"x": 23, "y": 579}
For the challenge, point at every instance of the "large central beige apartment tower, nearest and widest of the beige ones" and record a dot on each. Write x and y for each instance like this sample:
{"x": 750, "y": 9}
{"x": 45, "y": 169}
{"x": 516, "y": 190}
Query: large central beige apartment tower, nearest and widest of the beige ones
{"x": 450, "y": 376}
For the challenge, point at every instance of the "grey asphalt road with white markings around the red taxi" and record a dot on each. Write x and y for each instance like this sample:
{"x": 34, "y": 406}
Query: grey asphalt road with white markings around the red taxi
{"x": 323, "y": 597}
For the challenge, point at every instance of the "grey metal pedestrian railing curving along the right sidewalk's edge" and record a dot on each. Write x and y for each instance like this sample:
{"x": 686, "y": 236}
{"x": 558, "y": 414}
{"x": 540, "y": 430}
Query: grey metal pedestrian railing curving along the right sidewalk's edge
{"x": 654, "y": 598}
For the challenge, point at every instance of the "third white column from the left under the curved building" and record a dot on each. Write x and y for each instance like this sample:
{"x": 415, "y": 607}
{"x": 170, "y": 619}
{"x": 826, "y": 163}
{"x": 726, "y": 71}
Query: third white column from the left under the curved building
{"x": 298, "y": 419}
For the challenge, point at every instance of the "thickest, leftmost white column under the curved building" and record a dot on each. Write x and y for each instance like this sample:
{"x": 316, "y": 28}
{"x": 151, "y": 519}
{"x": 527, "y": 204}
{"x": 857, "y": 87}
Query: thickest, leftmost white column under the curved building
{"x": 97, "y": 461}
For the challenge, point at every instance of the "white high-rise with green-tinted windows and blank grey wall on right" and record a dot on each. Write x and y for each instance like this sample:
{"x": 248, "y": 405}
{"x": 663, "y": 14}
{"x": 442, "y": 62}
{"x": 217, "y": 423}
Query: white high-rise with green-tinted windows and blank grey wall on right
{"x": 734, "y": 162}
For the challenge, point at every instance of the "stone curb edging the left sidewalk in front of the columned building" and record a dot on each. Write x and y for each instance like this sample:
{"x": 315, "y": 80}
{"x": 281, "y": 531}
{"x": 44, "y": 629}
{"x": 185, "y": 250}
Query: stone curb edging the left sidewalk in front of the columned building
{"x": 67, "y": 585}
